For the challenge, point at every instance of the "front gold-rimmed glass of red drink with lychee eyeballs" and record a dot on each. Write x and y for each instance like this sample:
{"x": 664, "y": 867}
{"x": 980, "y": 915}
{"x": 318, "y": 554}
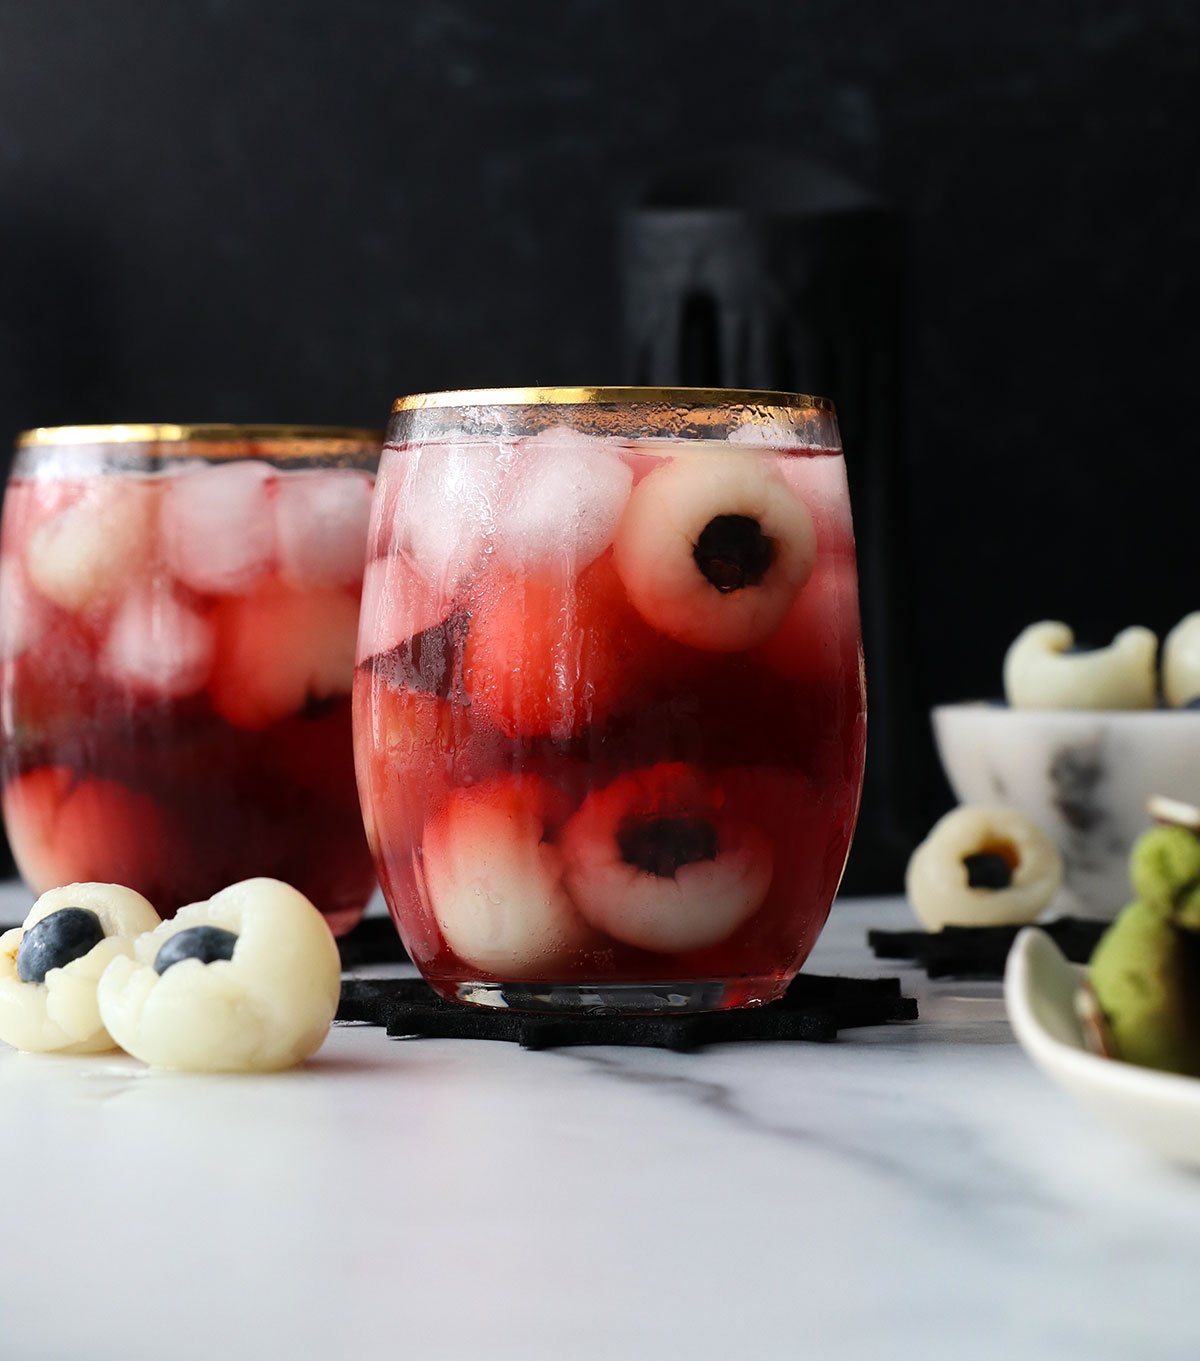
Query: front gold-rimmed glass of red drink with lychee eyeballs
{"x": 609, "y": 708}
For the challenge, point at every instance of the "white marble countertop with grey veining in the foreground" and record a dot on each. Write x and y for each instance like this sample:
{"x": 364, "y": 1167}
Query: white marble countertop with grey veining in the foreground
{"x": 911, "y": 1192}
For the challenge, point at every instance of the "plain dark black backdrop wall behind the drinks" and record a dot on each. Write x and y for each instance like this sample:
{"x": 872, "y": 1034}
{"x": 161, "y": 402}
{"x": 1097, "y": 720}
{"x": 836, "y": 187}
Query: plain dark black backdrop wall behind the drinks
{"x": 282, "y": 210}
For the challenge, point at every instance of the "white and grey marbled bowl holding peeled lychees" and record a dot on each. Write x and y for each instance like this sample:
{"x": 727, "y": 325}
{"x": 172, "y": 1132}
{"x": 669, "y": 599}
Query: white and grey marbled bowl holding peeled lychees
{"x": 1084, "y": 778}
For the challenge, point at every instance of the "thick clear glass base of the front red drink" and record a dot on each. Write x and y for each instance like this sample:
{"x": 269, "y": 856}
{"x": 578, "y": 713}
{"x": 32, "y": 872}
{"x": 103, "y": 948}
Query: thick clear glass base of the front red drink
{"x": 602, "y": 1000}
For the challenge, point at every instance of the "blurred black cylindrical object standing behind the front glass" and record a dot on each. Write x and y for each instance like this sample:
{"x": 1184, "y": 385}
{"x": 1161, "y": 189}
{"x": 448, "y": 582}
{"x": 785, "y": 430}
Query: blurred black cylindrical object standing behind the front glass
{"x": 769, "y": 272}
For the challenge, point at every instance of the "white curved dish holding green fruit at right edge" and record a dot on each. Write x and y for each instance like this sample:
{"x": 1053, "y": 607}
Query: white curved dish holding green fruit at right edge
{"x": 1159, "y": 1110}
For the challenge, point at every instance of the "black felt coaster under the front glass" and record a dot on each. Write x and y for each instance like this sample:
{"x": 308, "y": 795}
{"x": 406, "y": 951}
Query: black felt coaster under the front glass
{"x": 814, "y": 1008}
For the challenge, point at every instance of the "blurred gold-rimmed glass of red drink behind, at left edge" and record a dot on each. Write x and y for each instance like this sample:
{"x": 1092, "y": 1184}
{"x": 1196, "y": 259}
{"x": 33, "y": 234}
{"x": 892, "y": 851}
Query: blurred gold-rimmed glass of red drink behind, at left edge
{"x": 178, "y": 617}
